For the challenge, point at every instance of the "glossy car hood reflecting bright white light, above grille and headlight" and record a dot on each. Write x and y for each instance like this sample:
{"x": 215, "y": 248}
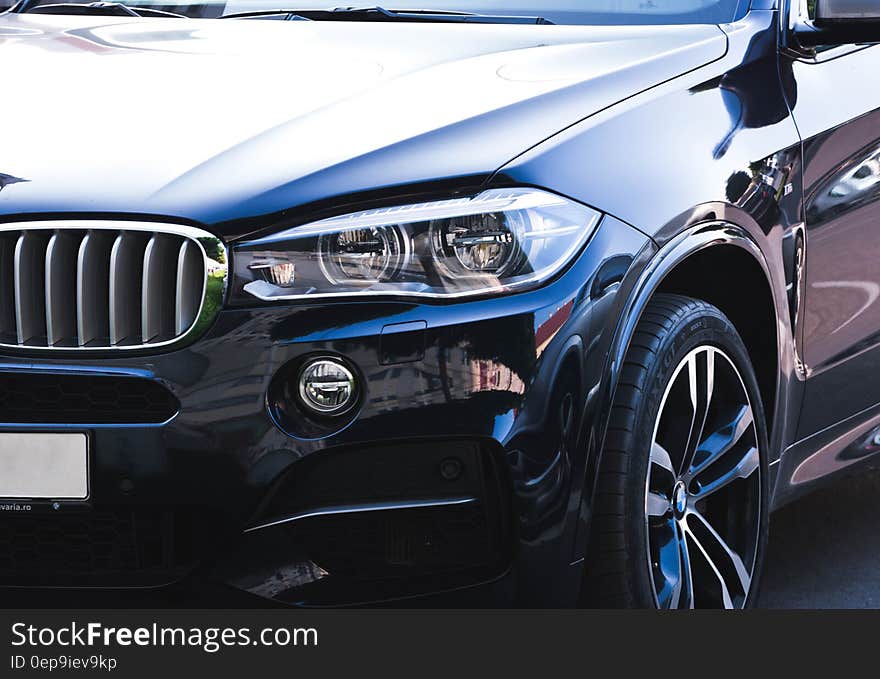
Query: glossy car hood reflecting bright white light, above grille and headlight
{"x": 231, "y": 122}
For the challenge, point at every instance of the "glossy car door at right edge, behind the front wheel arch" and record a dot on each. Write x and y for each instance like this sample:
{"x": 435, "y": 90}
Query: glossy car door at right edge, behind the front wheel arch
{"x": 836, "y": 105}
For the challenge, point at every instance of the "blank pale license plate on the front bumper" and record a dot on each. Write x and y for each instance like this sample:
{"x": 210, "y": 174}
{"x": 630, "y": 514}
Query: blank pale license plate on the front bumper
{"x": 44, "y": 466}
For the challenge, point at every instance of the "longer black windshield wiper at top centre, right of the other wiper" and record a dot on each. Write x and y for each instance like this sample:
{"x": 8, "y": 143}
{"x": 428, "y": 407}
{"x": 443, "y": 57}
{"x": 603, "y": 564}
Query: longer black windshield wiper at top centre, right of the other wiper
{"x": 382, "y": 14}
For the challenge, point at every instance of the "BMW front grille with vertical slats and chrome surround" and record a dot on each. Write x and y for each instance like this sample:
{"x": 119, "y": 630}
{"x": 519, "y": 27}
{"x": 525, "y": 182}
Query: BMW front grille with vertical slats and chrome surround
{"x": 105, "y": 285}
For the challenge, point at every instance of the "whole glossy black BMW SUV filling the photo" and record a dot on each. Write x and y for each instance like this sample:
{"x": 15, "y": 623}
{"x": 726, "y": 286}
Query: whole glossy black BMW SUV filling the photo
{"x": 479, "y": 301}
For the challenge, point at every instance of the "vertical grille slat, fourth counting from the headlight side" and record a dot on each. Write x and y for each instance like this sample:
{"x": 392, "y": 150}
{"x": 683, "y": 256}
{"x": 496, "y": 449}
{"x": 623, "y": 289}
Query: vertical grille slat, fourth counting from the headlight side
{"x": 93, "y": 288}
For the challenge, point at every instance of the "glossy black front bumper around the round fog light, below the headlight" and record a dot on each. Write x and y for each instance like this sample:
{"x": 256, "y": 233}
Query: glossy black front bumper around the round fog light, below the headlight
{"x": 313, "y": 513}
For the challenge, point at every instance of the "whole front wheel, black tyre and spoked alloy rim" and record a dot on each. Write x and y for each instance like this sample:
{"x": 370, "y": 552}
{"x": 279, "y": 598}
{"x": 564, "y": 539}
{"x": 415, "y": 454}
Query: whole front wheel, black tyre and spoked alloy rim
{"x": 681, "y": 503}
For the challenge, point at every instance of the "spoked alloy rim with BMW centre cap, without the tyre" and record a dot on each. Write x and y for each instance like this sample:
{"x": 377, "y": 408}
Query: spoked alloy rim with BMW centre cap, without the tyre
{"x": 703, "y": 487}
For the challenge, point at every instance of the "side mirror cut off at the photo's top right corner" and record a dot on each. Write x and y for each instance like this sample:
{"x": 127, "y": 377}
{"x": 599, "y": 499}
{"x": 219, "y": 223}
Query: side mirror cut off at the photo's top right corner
{"x": 841, "y": 22}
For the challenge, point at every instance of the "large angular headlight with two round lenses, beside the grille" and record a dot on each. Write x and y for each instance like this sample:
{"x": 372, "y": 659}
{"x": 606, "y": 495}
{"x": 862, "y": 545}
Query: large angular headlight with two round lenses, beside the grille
{"x": 499, "y": 241}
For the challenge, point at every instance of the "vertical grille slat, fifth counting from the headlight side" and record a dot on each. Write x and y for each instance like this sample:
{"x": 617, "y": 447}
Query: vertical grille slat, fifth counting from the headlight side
{"x": 61, "y": 288}
